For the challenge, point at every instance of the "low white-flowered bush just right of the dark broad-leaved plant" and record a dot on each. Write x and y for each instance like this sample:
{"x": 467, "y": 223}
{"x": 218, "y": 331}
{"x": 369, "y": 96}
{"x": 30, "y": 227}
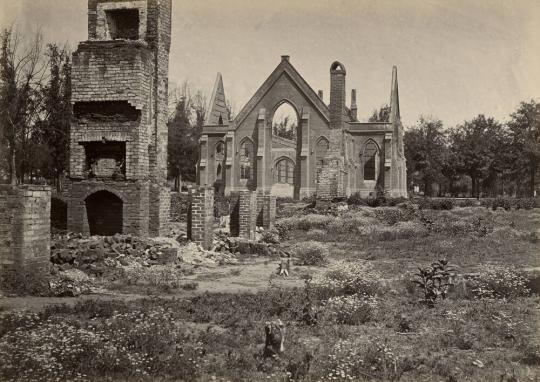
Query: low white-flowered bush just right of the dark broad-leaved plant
{"x": 499, "y": 282}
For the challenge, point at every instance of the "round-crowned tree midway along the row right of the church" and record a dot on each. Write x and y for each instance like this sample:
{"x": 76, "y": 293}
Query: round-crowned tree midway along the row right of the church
{"x": 474, "y": 145}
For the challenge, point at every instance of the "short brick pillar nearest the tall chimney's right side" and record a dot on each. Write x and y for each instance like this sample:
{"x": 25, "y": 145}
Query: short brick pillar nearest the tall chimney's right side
{"x": 201, "y": 216}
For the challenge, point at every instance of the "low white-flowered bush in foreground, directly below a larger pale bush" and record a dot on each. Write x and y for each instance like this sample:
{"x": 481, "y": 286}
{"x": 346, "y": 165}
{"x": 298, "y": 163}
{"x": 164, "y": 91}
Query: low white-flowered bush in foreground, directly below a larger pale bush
{"x": 351, "y": 310}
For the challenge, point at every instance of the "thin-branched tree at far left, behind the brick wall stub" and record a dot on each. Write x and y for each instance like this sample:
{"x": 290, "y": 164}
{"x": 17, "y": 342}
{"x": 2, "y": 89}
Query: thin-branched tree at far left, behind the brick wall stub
{"x": 22, "y": 74}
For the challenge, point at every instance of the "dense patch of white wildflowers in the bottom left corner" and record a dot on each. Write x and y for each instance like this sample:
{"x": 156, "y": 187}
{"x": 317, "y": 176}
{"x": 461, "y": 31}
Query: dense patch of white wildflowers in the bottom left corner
{"x": 133, "y": 344}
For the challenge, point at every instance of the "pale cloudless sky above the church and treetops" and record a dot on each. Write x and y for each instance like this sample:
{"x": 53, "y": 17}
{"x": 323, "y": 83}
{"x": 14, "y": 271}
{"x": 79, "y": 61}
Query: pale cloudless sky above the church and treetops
{"x": 455, "y": 58}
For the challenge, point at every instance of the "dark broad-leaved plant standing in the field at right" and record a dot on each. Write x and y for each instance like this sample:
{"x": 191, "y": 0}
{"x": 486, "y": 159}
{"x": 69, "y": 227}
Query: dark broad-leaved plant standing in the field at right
{"x": 434, "y": 281}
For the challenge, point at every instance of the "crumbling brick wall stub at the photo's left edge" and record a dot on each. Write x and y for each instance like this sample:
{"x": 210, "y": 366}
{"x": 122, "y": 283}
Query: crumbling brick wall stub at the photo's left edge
{"x": 25, "y": 230}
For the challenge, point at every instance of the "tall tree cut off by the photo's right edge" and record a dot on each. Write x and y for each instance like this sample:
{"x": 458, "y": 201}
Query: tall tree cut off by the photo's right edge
{"x": 524, "y": 129}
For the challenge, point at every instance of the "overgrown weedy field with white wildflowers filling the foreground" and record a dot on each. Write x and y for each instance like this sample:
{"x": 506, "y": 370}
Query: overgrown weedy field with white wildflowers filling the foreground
{"x": 470, "y": 313}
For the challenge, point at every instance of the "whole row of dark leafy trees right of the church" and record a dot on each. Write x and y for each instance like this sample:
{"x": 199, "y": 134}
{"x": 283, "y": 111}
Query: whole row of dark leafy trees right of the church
{"x": 480, "y": 157}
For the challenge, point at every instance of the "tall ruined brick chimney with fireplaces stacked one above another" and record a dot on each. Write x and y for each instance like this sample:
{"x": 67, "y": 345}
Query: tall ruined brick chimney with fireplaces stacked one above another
{"x": 118, "y": 142}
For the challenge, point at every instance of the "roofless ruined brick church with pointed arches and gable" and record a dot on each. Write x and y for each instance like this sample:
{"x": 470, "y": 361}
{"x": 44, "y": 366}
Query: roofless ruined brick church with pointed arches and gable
{"x": 333, "y": 154}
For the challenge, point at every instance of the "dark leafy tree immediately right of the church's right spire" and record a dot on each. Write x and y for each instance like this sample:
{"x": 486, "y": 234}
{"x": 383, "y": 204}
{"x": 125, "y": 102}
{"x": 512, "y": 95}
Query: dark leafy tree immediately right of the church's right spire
{"x": 425, "y": 151}
